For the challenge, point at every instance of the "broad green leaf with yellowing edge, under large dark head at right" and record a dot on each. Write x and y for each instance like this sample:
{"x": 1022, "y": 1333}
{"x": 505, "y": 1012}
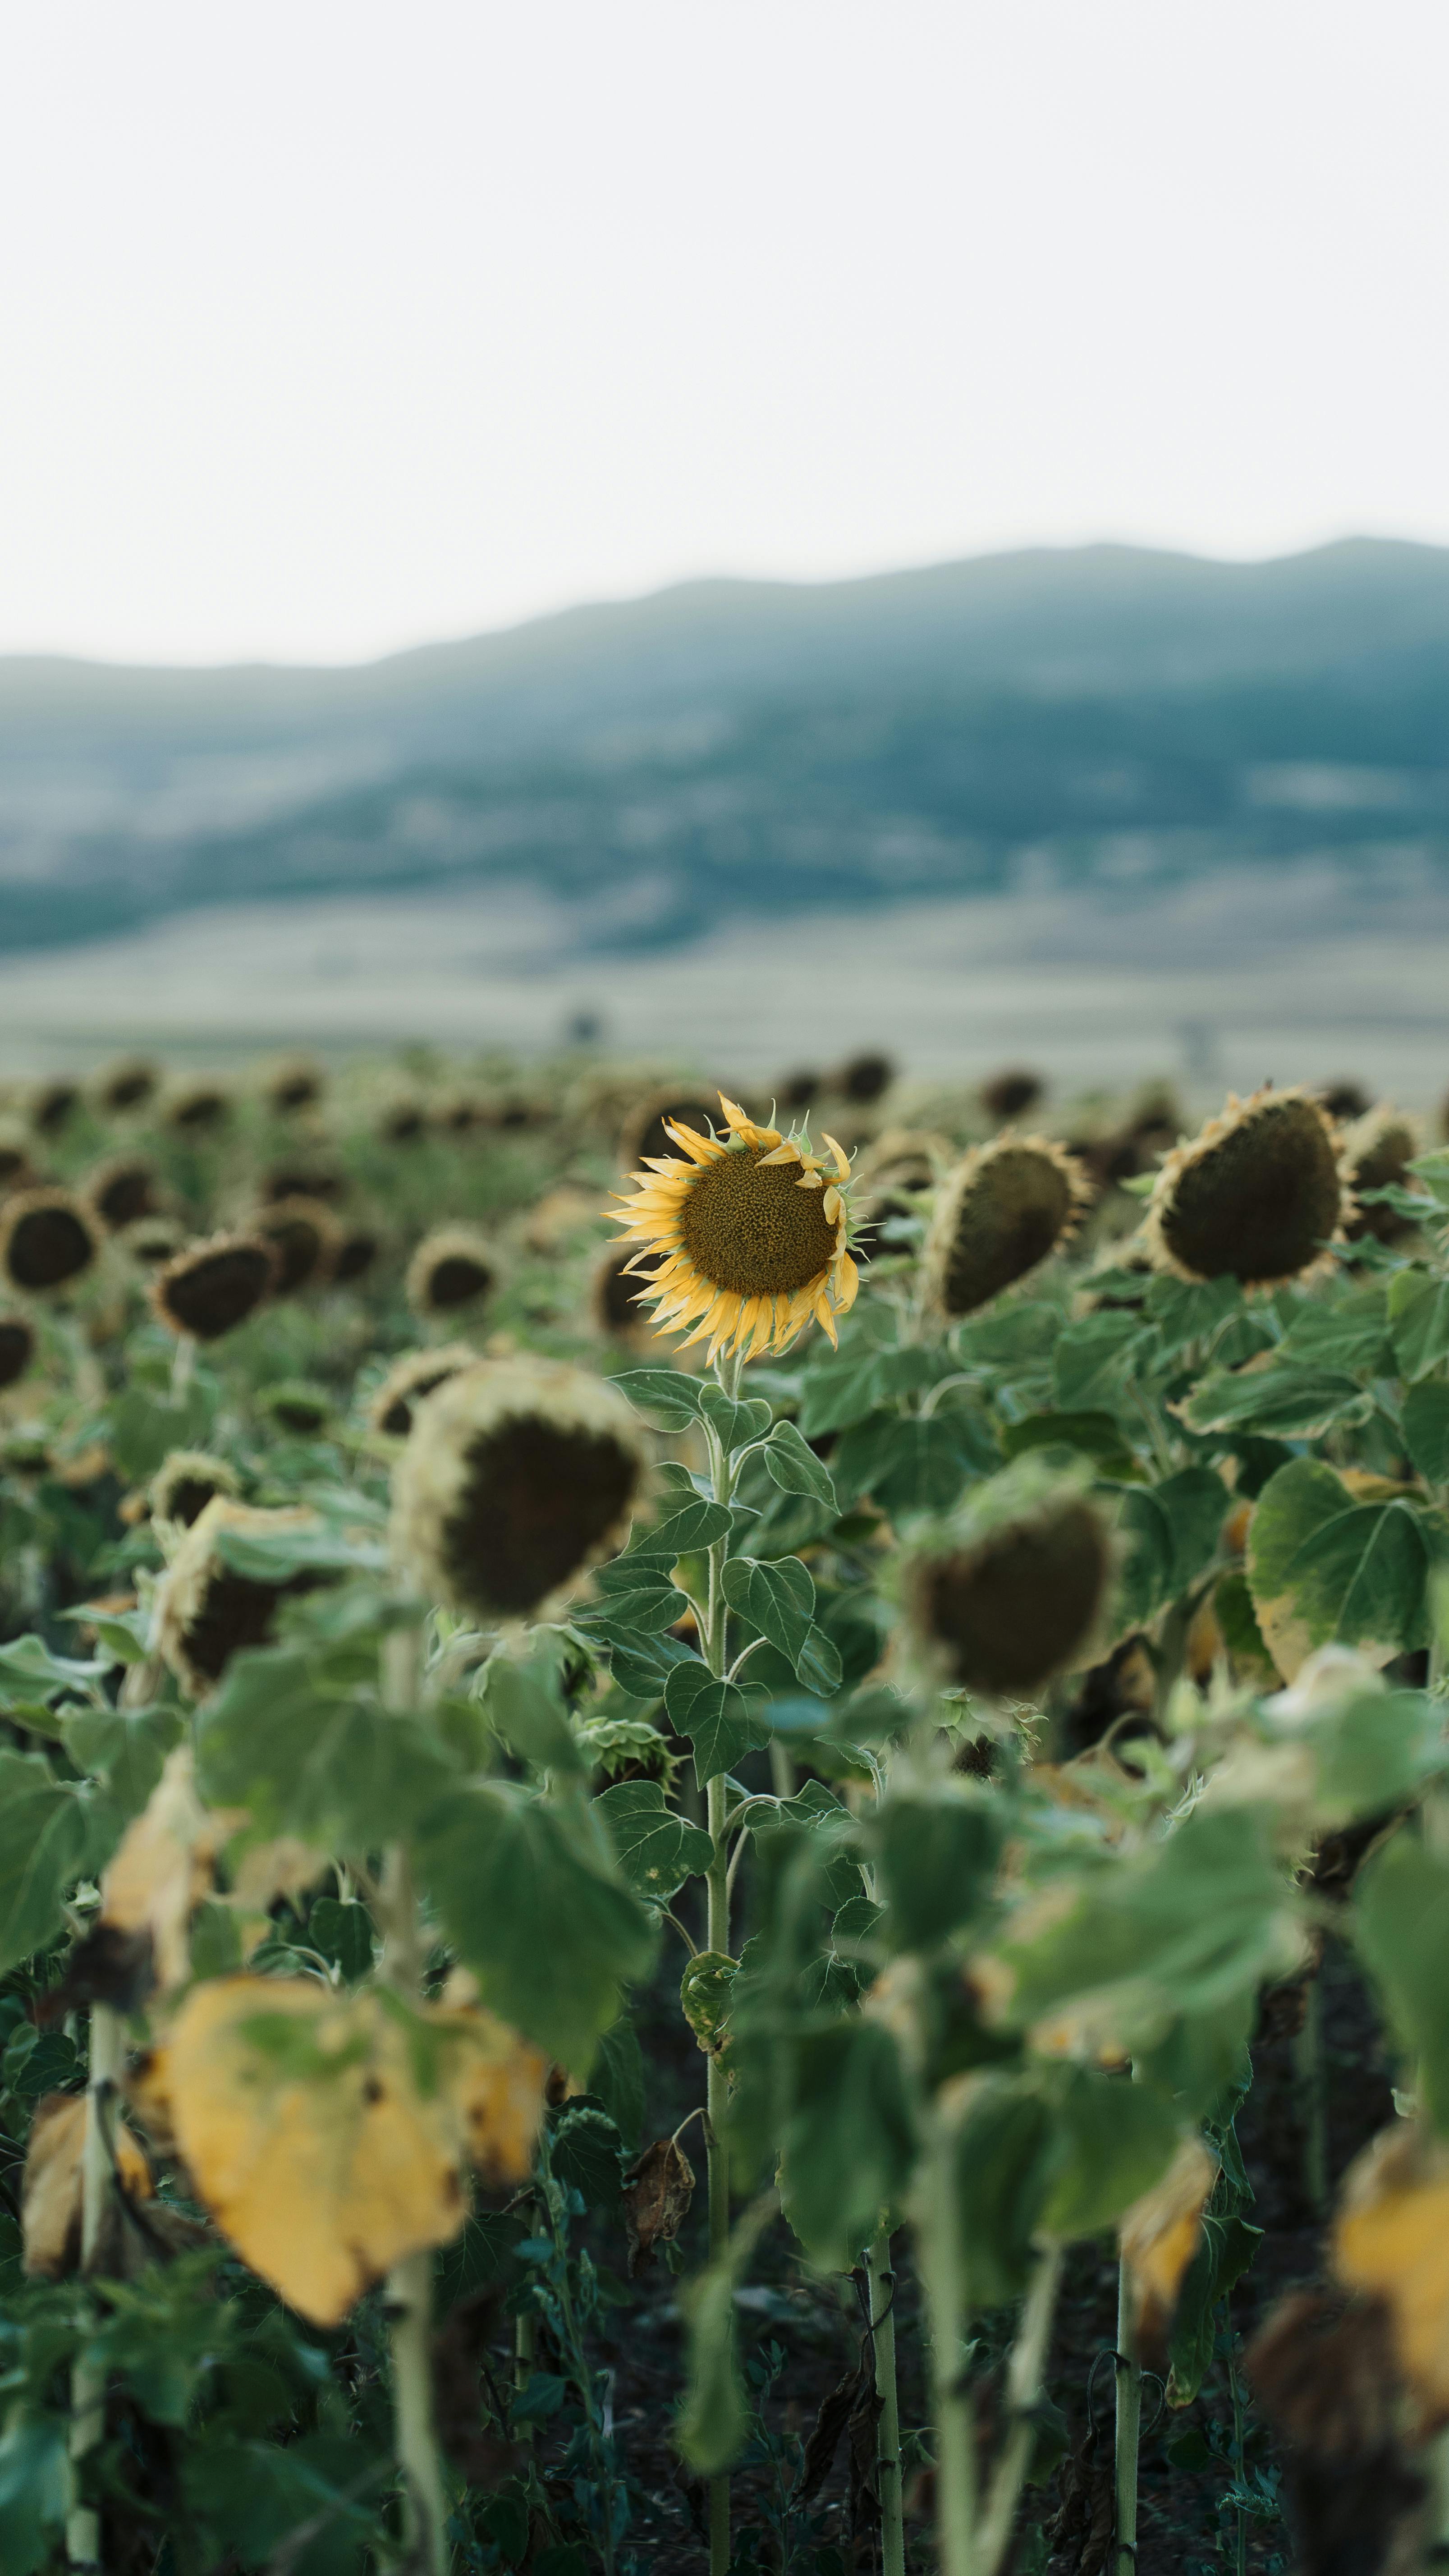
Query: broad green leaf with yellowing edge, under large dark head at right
{"x": 1324, "y": 1567}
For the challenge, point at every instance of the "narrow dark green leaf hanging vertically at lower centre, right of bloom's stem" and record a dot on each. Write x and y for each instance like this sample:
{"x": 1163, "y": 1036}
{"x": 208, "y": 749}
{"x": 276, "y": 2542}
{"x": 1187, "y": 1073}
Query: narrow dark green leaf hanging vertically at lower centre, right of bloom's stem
{"x": 848, "y": 2145}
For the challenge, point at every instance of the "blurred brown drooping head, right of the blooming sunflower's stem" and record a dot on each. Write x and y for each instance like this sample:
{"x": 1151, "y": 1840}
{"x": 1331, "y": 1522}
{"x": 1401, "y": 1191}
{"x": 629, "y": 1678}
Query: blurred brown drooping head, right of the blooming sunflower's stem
{"x": 1010, "y": 1593}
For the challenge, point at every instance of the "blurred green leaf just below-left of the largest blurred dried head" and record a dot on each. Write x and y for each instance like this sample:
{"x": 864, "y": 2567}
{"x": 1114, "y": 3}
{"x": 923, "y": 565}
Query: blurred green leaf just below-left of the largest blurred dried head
{"x": 331, "y": 1768}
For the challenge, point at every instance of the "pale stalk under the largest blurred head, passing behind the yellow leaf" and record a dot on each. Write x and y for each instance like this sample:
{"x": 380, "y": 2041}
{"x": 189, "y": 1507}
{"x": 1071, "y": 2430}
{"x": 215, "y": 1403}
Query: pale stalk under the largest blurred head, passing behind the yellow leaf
{"x": 411, "y": 2281}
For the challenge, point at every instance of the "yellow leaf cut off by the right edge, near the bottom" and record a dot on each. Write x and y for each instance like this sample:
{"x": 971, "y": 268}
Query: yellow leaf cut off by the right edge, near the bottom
{"x": 1394, "y": 2242}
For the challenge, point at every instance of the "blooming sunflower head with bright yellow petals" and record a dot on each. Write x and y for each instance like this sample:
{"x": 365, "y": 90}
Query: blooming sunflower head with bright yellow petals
{"x": 750, "y": 1235}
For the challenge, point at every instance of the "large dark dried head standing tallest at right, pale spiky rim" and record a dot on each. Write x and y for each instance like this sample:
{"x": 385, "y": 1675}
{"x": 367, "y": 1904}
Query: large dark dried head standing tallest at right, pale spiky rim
{"x": 1257, "y": 1197}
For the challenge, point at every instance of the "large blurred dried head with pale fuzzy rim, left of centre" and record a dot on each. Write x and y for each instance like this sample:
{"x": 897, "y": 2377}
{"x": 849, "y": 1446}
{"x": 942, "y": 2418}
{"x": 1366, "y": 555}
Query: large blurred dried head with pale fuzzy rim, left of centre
{"x": 516, "y": 1480}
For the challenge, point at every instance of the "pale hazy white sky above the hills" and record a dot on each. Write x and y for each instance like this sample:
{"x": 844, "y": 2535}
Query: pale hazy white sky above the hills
{"x": 331, "y": 326}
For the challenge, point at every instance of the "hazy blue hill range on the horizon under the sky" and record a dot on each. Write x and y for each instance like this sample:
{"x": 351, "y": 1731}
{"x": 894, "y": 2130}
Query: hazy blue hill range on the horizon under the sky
{"x": 1028, "y": 720}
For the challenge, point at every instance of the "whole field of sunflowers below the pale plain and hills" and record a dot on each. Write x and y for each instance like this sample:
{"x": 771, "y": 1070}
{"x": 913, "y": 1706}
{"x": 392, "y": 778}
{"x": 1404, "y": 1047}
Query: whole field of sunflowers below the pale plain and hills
{"x": 724, "y": 1828}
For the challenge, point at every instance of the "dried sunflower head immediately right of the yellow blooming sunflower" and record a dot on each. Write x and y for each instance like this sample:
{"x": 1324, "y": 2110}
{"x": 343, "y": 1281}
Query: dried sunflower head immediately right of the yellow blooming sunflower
{"x": 1002, "y": 1212}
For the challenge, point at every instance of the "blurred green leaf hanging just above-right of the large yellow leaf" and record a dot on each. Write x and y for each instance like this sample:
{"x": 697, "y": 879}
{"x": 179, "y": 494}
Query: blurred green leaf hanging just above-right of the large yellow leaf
{"x": 544, "y": 1923}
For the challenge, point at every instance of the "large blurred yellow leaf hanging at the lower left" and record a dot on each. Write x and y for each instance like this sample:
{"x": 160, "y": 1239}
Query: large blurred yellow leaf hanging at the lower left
{"x": 328, "y": 2134}
